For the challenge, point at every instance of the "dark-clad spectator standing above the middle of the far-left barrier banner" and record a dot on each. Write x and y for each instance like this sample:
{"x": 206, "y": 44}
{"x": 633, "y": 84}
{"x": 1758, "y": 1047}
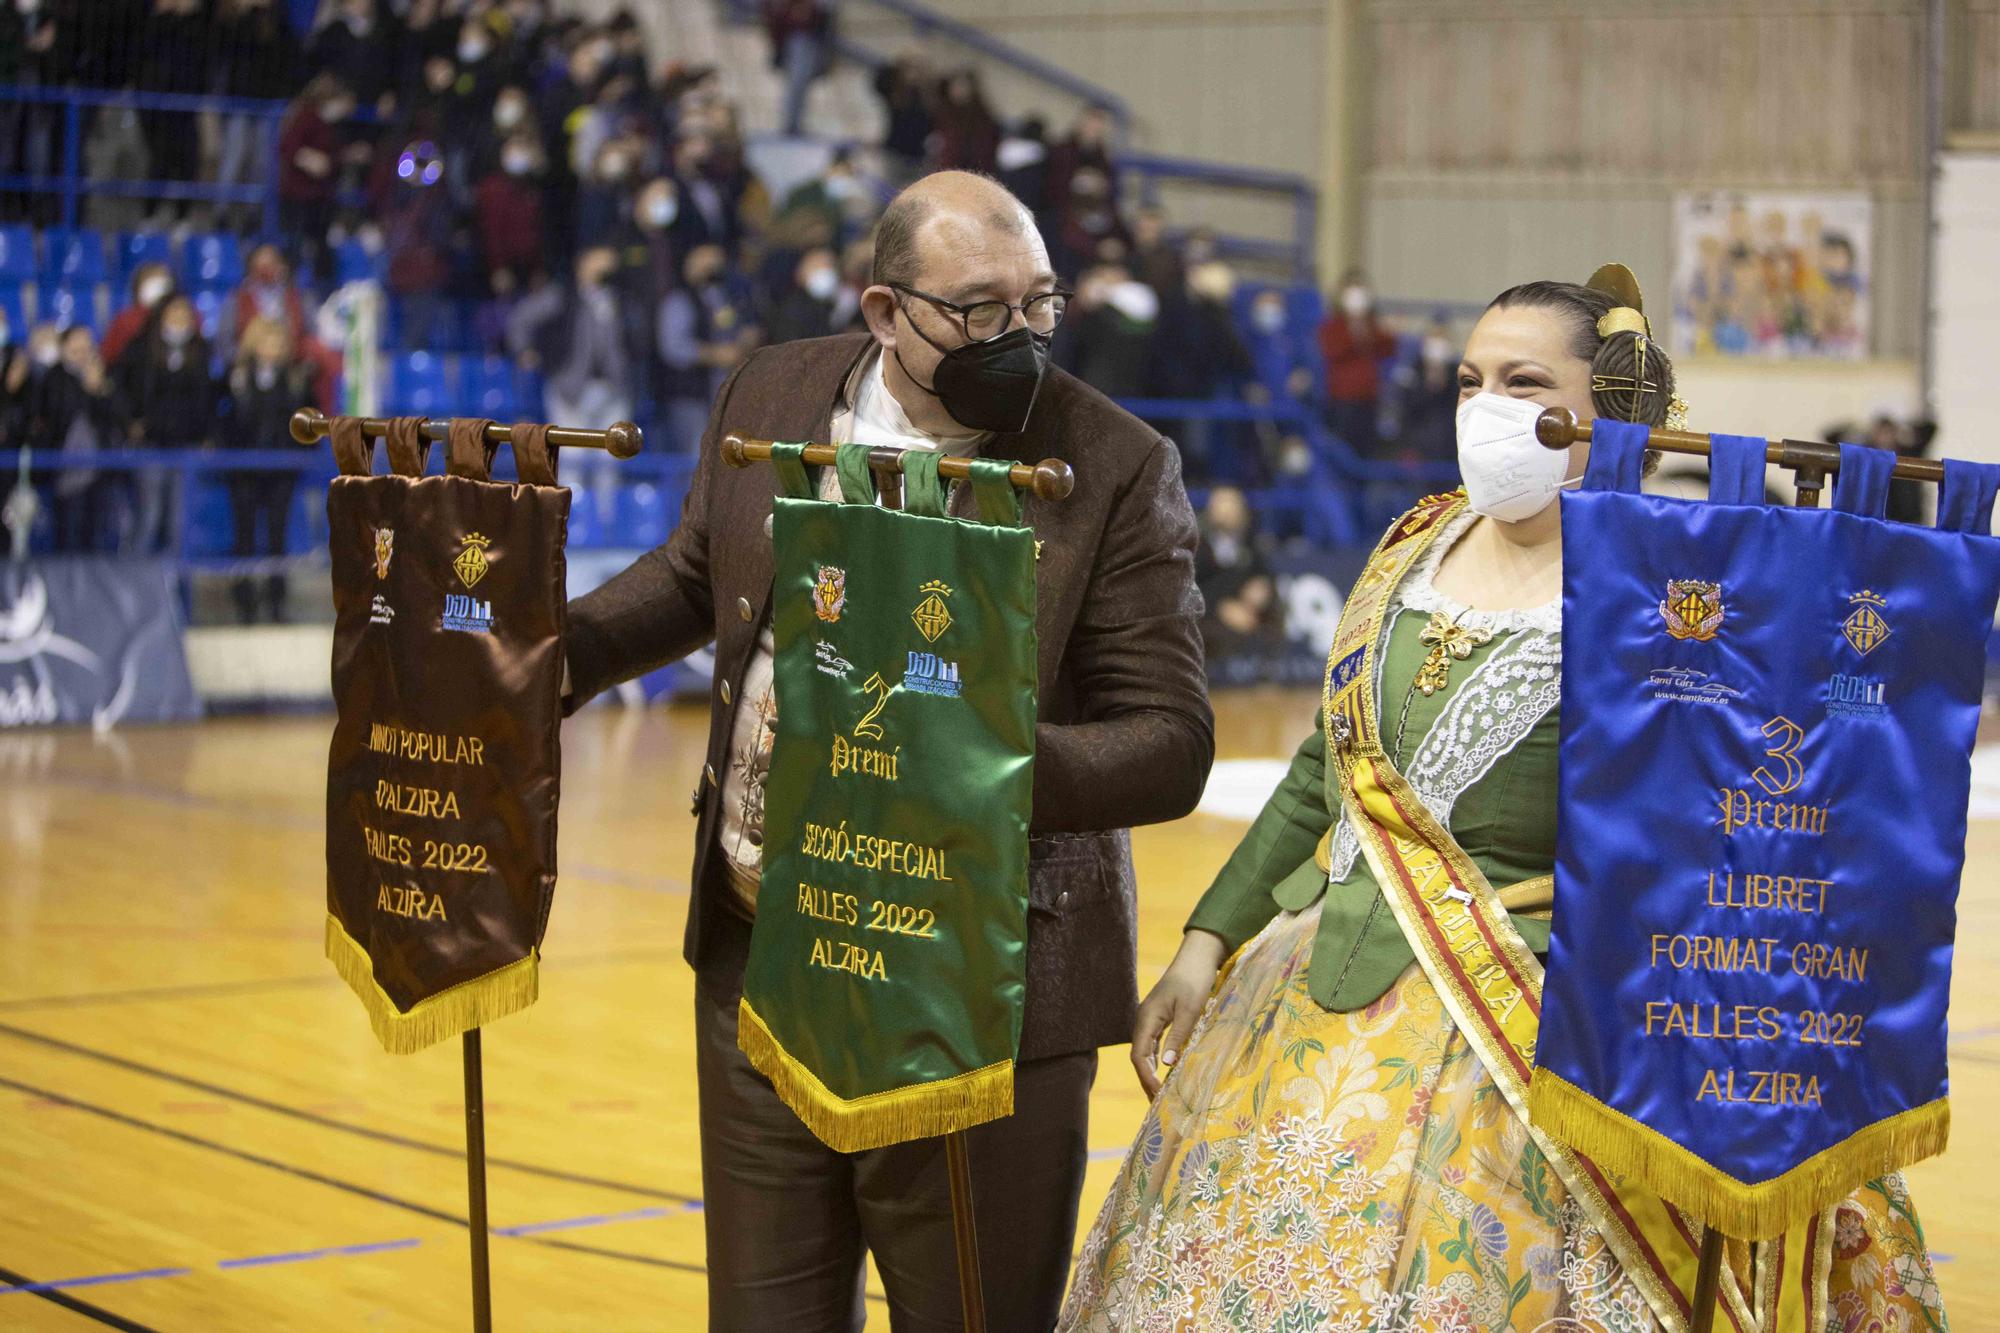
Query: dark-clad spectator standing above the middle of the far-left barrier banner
{"x": 83, "y": 411}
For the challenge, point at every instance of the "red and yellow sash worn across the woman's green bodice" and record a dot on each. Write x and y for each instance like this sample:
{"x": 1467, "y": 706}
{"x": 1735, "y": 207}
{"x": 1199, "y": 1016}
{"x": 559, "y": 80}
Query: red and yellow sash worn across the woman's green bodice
{"x": 1491, "y": 982}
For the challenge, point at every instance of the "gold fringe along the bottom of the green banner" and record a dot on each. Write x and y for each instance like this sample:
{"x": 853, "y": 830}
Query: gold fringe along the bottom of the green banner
{"x": 901, "y": 1114}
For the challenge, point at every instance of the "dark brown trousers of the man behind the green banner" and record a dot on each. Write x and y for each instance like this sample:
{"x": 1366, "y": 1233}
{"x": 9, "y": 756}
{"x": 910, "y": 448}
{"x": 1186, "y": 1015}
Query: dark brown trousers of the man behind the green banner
{"x": 791, "y": 1218}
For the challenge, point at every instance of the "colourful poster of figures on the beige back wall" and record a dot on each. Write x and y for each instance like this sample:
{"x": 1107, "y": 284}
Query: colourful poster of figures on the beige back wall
{"x": 1773, "y": 275}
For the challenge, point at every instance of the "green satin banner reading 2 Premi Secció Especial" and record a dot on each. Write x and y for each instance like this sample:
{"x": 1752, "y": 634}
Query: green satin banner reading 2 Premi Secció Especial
{"x": 889, "y": 960}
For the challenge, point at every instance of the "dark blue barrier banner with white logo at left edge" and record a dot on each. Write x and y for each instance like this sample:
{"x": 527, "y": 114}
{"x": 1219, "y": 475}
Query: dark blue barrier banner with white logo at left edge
{"x": 91, "y": 641}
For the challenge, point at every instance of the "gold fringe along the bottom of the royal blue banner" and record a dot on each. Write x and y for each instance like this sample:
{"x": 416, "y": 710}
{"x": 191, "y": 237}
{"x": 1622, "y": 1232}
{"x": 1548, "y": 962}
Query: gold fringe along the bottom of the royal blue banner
{"x": 1743, "y": 1210}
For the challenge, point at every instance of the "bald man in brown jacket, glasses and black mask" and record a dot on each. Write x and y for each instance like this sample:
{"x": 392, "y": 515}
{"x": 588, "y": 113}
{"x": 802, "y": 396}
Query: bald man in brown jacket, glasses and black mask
{"x": 953, "y": 359}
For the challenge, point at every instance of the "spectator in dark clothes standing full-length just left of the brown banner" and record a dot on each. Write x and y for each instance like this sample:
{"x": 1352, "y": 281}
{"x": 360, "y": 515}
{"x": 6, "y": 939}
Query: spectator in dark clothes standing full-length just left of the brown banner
{"x": 267, "y": 385}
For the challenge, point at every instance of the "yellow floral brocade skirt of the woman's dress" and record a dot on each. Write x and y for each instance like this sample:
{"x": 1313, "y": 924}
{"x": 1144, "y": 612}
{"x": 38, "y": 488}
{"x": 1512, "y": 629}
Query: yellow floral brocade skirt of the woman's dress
{"x": 1343, "y": 1172}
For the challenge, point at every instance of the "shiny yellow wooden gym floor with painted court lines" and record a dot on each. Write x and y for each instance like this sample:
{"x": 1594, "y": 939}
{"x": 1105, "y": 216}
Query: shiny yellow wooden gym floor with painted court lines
{"x": 197, "y": 1130}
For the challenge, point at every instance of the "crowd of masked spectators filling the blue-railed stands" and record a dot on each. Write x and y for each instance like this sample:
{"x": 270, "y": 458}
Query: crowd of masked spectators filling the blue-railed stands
{"x": 543, "y": 187}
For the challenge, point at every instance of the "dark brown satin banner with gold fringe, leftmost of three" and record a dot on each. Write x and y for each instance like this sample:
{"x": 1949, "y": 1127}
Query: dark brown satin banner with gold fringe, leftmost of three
{"x": 445, "y": 770}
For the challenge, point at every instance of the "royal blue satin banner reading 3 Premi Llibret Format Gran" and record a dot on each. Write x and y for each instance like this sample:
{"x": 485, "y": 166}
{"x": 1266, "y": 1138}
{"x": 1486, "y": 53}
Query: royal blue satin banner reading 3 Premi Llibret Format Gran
{"x": 1767, "y": 734}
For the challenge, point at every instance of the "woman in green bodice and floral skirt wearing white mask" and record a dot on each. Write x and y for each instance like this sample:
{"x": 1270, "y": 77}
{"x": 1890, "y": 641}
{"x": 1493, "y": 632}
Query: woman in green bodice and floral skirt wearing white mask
{"x": 1327, "y": 1152}
